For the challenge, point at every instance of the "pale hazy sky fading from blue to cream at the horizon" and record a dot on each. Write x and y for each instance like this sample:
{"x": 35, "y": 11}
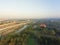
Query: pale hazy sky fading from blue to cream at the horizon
{"x": 29, "y": 8}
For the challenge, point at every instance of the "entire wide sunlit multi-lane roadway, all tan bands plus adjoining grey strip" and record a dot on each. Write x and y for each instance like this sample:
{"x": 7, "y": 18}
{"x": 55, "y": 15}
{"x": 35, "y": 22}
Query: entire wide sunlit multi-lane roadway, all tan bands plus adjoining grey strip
{"x": 11, "y": 28}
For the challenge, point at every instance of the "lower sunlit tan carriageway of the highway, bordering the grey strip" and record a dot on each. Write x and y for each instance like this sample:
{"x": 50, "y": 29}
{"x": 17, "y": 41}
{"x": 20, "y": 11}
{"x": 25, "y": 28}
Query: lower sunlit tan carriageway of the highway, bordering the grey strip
{"x": 10, "y": 29}
